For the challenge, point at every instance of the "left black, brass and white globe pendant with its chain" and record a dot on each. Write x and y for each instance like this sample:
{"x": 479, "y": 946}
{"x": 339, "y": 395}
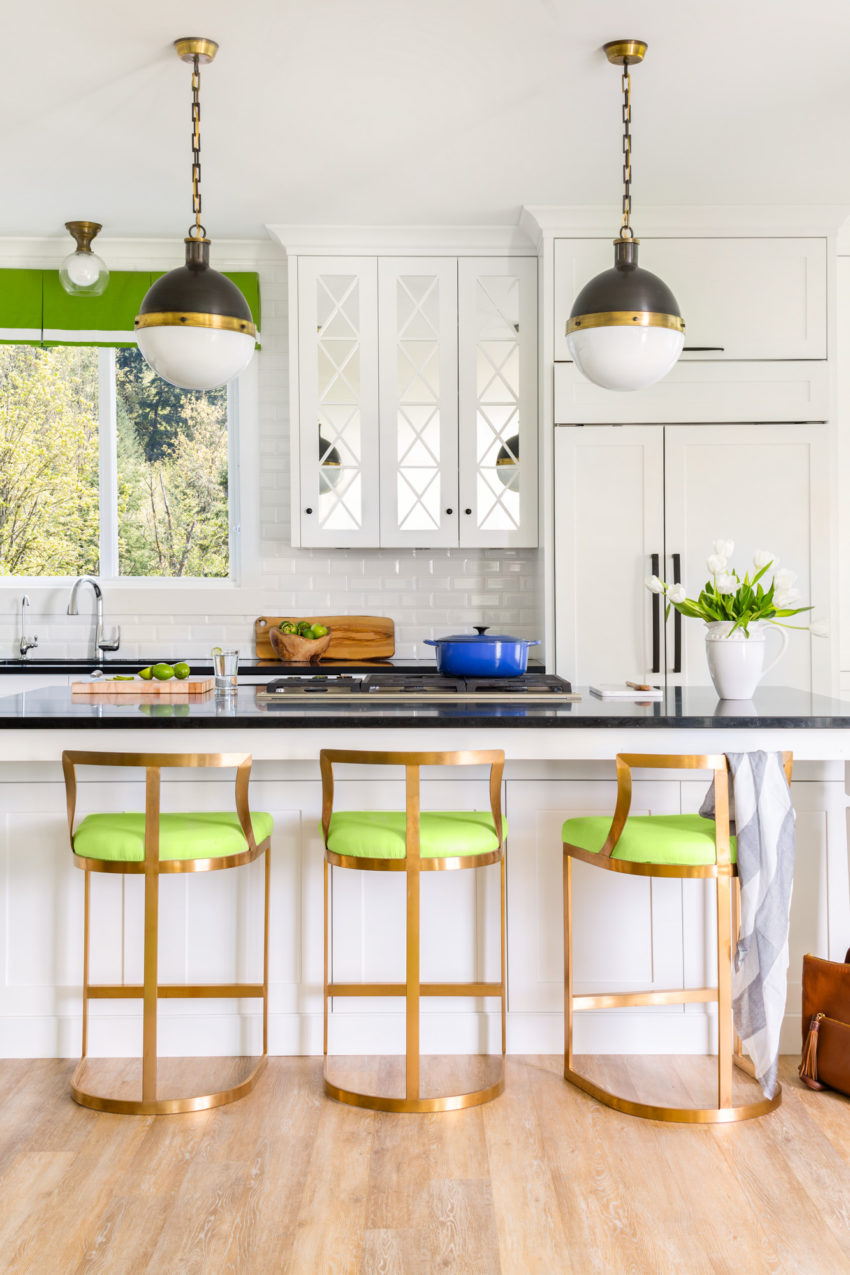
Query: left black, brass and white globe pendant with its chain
{"x": 196, "y": 327}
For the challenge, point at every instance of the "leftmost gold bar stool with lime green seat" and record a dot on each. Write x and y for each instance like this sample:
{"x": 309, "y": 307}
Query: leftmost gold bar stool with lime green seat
{"x": 151, "y": 845}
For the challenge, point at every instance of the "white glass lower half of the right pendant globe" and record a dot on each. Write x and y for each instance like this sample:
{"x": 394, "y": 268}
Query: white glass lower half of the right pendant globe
{"x": 625, "y": 359}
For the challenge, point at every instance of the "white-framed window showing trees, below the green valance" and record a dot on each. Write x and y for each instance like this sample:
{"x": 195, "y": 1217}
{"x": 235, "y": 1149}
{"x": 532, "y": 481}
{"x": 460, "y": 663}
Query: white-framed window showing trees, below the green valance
{"x": 108, "y": 470}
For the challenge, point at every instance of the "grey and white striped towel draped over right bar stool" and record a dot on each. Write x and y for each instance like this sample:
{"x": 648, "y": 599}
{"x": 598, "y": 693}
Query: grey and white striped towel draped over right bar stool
{"x": 765, "y": 829}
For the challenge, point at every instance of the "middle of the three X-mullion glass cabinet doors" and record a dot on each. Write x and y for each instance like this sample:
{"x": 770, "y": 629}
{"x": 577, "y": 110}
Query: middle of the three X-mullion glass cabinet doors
{"x": 419, "y": 401}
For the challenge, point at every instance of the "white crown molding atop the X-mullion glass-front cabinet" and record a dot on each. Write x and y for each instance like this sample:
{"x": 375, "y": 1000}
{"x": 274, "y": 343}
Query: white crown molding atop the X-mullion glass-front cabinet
{"x": 403, "y": 240}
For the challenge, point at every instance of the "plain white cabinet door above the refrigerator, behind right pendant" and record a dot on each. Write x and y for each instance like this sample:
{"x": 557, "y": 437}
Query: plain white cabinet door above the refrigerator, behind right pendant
{"x": 741, "y": 299}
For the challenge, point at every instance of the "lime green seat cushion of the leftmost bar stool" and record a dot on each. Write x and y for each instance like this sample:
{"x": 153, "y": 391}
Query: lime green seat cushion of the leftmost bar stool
{"x": 207, "y": 836}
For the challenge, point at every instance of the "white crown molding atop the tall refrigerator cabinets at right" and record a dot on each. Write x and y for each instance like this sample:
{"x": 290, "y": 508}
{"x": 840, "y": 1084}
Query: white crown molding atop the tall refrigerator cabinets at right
{"x": 596, "y": 221}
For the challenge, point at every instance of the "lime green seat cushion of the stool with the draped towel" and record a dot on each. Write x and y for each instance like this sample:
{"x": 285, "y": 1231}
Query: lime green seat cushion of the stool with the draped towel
{"x": 675, "y": 840}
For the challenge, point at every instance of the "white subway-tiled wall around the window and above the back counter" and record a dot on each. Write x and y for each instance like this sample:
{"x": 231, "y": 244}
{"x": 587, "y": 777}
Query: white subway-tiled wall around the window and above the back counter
{"x": 428, "y": 592}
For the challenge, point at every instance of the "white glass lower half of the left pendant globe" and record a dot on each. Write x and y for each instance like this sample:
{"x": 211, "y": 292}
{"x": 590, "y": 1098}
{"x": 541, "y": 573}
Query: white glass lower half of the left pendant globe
{"x": 197, "y": 359}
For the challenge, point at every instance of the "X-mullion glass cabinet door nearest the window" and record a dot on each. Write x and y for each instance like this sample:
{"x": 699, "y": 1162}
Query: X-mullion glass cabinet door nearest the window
{"x": 338, "y": 402}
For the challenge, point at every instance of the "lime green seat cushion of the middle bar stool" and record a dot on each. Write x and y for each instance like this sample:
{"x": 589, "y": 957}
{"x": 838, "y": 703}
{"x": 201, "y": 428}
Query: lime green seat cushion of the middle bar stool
{"x": 379, "y": 834}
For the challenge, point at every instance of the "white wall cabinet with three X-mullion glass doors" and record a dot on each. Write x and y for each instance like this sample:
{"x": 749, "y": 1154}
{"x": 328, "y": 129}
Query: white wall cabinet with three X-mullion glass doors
{"x": 417, "y": 402}
